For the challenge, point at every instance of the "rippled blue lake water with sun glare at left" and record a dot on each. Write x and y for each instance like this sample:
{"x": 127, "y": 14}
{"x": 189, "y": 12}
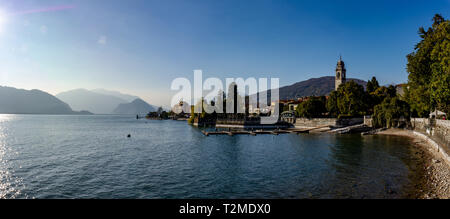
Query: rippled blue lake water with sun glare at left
{"x": 91, "y": 157}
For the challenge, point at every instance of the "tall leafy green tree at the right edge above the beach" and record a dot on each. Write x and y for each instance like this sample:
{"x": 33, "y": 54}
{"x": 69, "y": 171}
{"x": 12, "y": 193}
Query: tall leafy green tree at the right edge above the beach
{"x": 427, "y": 67}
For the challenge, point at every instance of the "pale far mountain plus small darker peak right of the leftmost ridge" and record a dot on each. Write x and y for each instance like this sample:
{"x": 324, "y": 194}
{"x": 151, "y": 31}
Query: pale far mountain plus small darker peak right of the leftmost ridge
{"x": 100, "y": 101}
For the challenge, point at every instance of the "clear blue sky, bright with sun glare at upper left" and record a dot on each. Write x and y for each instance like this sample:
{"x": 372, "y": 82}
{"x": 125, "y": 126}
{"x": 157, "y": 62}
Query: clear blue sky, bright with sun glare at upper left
{"x": 140, "y": 46}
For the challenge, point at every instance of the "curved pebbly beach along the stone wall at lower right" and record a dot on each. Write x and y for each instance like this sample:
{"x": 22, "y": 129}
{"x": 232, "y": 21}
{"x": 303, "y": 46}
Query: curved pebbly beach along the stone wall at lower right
{"x": 435, "y": 182}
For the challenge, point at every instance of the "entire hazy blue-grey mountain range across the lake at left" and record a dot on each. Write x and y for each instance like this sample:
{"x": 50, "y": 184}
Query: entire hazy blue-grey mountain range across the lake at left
{"x": 78, "y": 102}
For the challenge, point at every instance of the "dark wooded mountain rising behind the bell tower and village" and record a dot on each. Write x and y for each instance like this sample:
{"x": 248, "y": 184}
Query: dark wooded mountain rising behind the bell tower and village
{"x": 312, "y": 87}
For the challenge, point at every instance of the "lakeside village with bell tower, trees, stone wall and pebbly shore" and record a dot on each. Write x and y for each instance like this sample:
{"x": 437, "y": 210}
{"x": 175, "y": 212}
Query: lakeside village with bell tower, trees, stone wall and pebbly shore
{"x": 417, "y": 110}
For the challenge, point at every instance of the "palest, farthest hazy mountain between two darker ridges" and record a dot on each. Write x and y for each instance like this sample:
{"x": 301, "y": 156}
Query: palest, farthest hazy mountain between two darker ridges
{"x": 82, "y": 99}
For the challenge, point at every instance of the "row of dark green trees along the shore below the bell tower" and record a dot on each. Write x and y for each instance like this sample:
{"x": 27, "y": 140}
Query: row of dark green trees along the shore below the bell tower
{"x": 352, "y": 100}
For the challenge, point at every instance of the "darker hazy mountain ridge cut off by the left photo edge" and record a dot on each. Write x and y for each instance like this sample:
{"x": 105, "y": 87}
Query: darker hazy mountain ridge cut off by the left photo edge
{"x": 19, "y": 101}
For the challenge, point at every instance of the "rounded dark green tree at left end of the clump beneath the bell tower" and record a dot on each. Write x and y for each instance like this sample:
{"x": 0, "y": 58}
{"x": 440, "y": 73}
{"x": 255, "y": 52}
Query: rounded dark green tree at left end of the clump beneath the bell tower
{"x": 312, "y": 108}
